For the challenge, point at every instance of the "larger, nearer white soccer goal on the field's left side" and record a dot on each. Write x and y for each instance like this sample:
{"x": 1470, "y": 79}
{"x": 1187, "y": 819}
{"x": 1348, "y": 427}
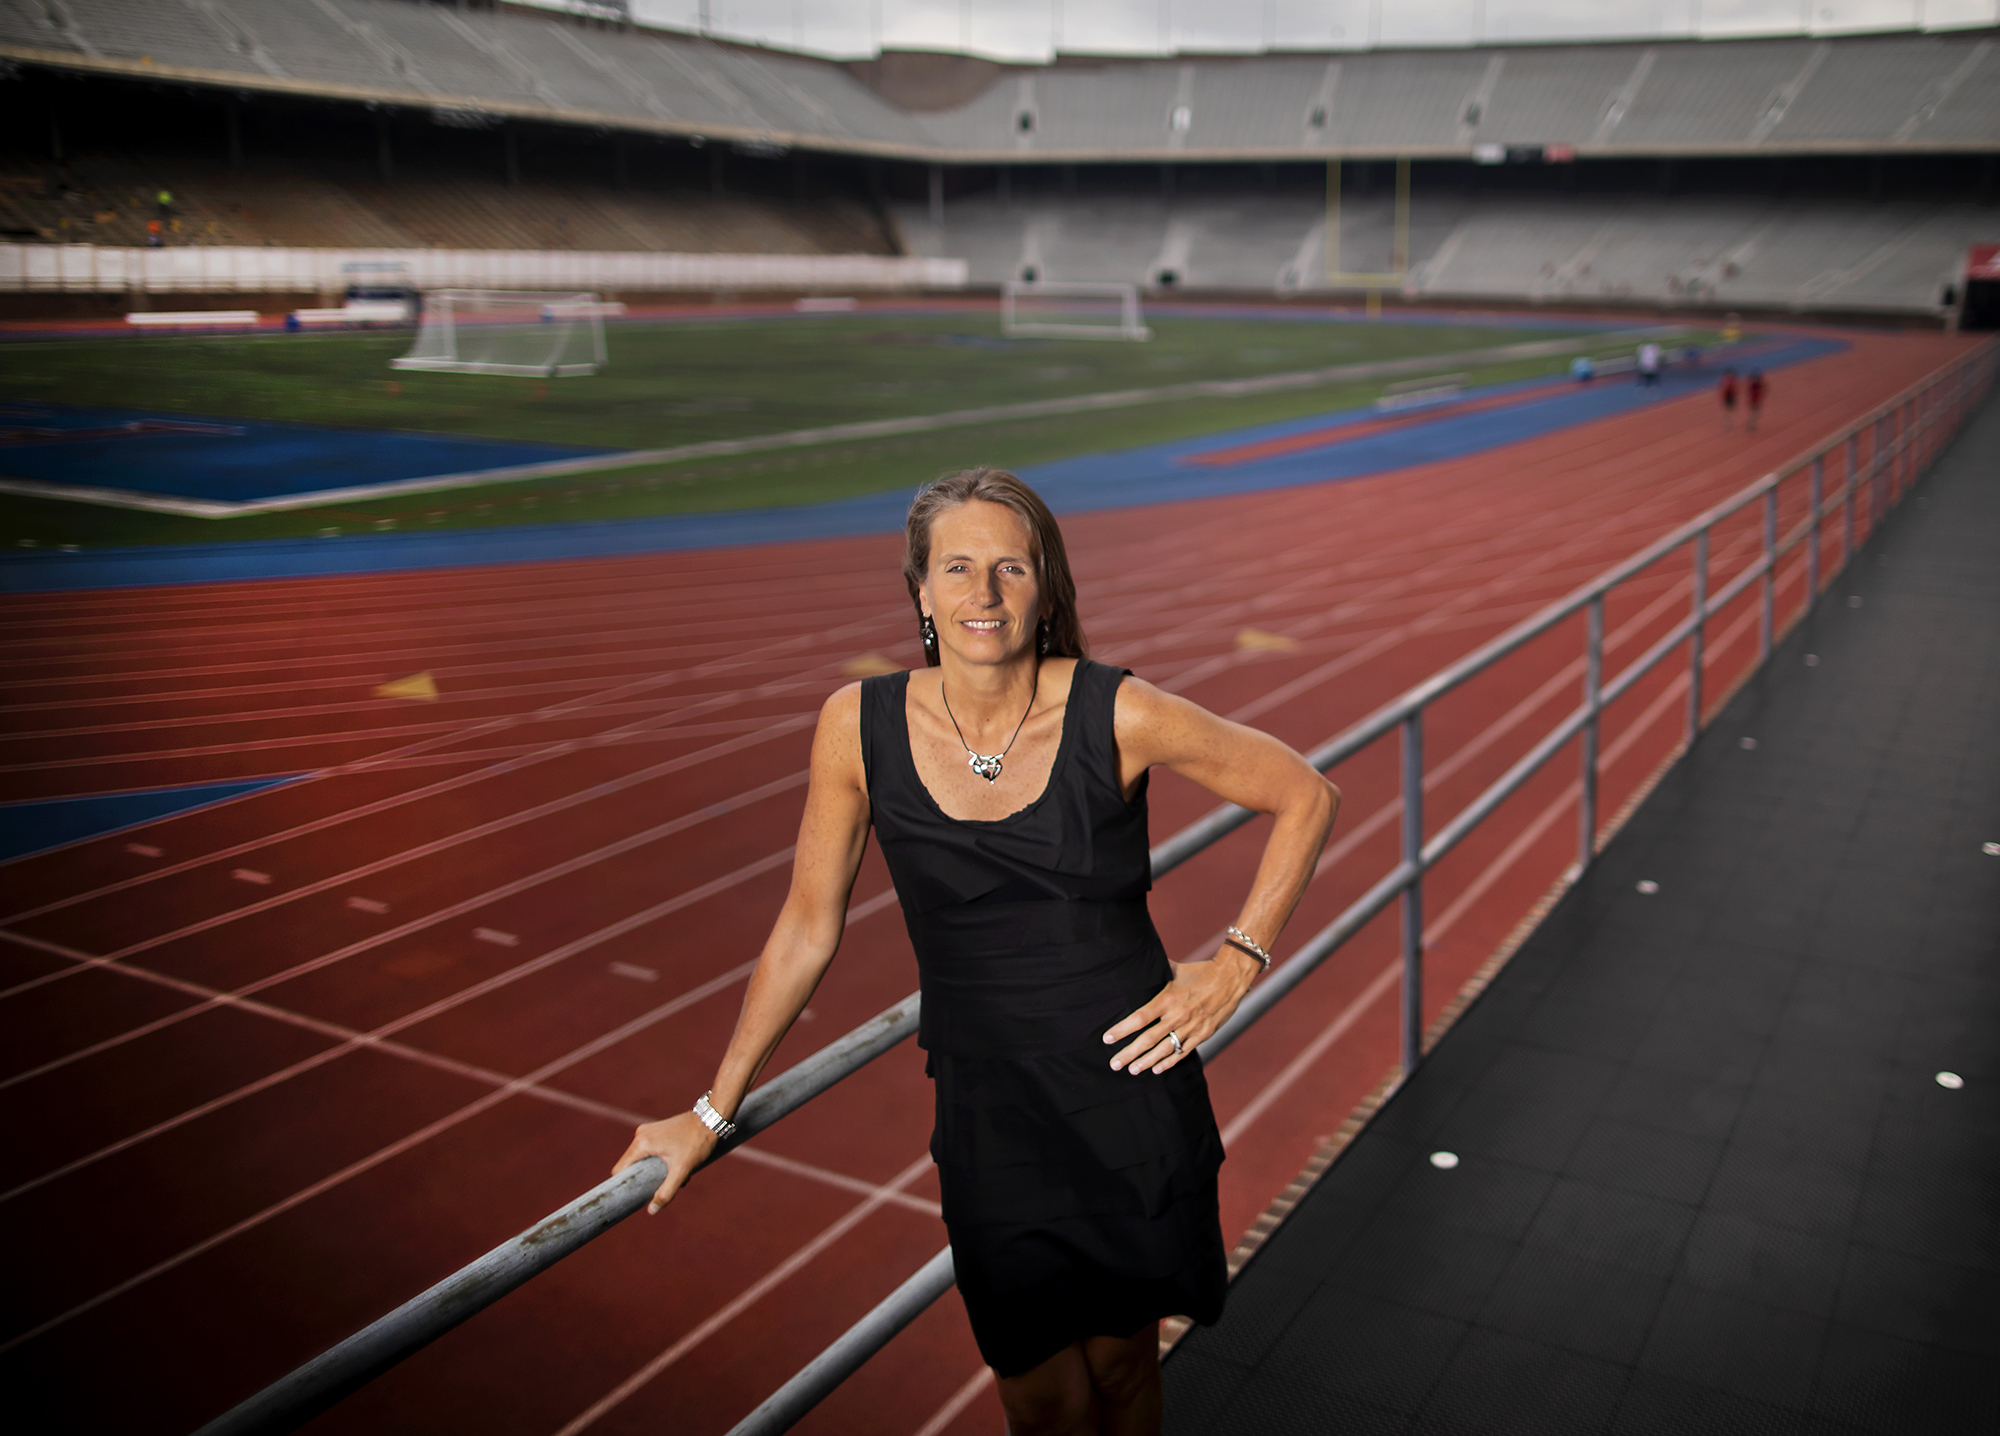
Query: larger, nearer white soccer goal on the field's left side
{"x": 509, "y": 333}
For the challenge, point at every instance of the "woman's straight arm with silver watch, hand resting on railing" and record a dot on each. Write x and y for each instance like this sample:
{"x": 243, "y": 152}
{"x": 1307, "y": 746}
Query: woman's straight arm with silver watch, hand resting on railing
{"x": 801, "y": 945}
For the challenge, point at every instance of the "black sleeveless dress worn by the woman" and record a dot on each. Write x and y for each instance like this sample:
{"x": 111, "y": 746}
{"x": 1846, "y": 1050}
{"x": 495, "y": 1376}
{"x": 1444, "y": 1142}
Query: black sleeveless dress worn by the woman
{"x": 1079, "y": 1201}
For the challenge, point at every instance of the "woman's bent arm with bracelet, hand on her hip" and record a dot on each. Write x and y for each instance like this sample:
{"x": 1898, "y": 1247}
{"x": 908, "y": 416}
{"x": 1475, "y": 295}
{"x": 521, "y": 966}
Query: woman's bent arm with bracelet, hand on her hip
{"x": 1259, "y": 773}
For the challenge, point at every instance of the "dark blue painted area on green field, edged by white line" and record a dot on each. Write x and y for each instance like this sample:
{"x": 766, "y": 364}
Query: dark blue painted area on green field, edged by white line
{"x": 235, "y": 461}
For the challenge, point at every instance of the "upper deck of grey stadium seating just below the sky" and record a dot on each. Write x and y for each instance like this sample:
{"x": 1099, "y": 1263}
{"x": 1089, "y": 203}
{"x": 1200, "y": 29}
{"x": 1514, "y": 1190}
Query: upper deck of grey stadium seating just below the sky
{"x": 1861, "y": 95}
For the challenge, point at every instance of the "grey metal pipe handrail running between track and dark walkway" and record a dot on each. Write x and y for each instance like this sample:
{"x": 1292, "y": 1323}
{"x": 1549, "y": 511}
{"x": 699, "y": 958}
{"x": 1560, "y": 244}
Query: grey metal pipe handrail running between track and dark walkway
{"x": 417, "y": 1323}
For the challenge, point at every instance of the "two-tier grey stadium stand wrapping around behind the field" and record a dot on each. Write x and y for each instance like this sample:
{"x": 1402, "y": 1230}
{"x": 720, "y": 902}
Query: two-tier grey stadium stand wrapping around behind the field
{"x": 1087, "y": 169}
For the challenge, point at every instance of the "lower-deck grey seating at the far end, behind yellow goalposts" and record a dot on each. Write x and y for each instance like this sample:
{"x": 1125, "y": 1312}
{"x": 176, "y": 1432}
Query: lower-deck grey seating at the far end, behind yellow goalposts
{"x": 1691, "y": 251}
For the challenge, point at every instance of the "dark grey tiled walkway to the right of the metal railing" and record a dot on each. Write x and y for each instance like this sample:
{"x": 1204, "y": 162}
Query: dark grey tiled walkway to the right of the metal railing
{"x": 1709, "y": 1181}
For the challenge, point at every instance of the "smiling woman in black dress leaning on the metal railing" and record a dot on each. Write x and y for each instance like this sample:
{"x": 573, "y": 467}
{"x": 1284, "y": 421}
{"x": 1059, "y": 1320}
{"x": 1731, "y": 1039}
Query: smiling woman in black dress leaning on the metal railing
{"x": 1007, "y": 783}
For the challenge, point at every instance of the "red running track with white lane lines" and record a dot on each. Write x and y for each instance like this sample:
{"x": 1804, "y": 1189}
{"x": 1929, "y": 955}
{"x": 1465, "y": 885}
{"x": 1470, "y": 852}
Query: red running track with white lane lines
{"x": 277, "y": 1065}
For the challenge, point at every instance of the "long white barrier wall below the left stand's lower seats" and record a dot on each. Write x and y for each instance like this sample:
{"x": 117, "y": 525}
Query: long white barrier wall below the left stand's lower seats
{"x": 91, "y": 269}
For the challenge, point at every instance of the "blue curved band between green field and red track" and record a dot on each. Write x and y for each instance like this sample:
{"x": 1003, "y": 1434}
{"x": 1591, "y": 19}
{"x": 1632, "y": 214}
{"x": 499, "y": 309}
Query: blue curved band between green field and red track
{"x": 1151, "y": 475}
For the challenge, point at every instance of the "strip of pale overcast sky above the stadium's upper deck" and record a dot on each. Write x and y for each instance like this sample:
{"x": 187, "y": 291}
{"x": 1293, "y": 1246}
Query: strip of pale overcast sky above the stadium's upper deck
{"x": 1033, "y": 29}
